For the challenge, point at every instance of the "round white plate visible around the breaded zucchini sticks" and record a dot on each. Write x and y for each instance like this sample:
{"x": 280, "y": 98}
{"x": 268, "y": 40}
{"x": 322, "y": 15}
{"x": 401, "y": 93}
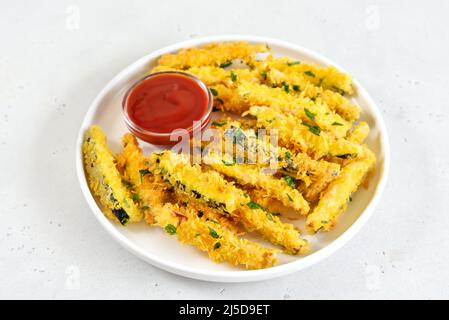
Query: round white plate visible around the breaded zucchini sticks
{"x": 153, "y": 246}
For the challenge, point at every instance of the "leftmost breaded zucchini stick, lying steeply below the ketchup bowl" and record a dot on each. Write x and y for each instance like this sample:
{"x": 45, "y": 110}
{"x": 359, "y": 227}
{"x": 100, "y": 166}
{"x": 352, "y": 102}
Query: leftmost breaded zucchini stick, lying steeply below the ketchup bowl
{"x": 105, "y": 181}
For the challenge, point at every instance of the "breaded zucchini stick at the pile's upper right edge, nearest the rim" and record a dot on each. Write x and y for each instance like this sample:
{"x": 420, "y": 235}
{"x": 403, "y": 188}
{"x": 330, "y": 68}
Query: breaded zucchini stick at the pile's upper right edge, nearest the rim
{"x": 326, "y": 77}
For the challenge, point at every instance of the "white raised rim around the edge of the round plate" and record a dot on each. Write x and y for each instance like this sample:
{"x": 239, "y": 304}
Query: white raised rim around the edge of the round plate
{"x": 238, "y": 275}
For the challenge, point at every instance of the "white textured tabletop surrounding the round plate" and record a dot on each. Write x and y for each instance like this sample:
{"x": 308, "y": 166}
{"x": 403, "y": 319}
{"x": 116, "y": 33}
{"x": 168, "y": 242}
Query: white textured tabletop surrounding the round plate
{"x": 53, "y": 64}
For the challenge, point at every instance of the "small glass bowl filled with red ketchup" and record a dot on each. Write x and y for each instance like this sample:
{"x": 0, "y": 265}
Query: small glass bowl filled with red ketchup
{"x": 163, "y": 102}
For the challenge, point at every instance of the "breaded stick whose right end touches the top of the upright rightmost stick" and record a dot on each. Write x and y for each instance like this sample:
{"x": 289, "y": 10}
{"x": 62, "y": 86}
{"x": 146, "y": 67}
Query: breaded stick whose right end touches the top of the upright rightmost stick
{"x": 300, "y": 138}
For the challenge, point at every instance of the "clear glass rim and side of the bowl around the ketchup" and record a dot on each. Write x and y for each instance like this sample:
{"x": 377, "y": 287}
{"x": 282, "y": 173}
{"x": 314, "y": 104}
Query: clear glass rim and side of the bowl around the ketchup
{"x": 159, "y": 138}
